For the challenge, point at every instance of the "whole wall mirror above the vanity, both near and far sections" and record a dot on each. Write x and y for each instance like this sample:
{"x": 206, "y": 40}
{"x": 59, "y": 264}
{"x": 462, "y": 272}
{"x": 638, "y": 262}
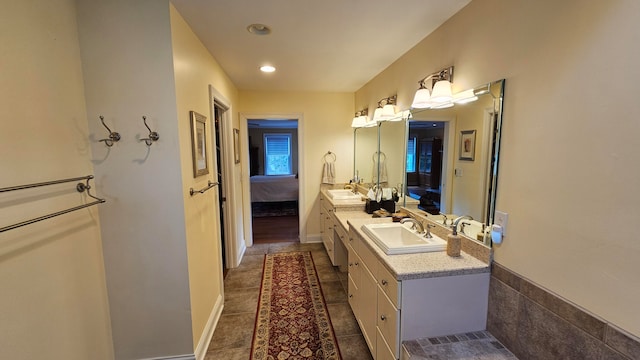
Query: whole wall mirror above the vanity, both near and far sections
{"x": 444, "y": 160}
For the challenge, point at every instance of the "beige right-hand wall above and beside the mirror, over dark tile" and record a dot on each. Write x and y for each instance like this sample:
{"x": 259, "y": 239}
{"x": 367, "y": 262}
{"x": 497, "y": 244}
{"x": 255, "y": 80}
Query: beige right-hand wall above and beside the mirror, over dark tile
{"x": 567, "y": 170}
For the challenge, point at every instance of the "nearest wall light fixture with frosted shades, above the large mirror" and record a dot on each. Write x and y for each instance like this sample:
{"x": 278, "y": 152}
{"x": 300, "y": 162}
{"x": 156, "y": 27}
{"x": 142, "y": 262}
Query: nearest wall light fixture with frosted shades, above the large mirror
{"x": 440, "y": 83}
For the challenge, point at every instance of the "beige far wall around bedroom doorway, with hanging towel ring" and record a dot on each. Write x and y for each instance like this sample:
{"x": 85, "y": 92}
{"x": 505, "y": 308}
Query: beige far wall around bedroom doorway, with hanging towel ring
{"x": 326, "y": 126}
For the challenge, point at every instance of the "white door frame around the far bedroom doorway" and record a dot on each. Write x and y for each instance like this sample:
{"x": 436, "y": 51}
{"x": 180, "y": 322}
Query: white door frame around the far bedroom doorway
{"x": 245, "y": 161}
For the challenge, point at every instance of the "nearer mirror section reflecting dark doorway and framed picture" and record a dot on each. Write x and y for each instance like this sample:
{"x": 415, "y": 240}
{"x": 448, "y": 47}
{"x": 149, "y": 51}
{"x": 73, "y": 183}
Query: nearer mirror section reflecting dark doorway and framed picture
{"x": 452, "y": 158}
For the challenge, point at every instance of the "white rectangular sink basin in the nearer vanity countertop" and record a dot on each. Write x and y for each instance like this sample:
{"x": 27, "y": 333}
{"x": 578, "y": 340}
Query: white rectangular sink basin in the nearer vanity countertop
{"x": 397, "y": 238}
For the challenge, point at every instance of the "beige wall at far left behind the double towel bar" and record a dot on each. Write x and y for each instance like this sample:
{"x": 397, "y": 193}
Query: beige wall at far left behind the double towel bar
{"x": 54, "y": 298}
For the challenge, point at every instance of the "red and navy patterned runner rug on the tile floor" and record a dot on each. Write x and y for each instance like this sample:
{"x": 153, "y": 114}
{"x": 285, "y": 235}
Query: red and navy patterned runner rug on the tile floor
{"x": 293, "y": 321}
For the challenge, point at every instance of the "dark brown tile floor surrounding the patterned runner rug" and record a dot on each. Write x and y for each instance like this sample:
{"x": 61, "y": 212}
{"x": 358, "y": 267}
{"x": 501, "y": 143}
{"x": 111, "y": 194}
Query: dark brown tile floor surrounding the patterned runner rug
{"x": 232, "y": 337}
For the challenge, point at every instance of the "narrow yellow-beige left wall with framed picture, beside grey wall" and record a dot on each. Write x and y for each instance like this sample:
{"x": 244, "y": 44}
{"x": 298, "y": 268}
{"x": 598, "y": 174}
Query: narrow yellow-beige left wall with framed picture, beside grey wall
{"x": 195, "y": 70}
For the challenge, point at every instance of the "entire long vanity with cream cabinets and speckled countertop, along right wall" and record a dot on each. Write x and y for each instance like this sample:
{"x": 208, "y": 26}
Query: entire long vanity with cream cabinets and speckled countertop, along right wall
{"x": 403, "y": 297}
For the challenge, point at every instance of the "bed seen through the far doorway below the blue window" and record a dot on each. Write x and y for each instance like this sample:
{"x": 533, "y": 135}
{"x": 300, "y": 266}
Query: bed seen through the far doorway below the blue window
{"x": 274, "y": 188}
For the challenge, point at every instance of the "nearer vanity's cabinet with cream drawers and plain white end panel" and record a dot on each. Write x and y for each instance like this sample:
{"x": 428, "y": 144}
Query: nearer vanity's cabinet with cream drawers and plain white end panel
{"x": 390, "y": 311}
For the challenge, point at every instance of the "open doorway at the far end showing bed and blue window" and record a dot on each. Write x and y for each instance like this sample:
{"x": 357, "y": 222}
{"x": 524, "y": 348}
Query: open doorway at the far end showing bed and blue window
{"x": 273, "y": 170}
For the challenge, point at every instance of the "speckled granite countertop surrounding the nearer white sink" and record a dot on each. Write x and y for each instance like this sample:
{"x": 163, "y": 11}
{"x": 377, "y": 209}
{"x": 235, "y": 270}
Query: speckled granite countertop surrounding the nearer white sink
{"x": 414, "y": 266}
